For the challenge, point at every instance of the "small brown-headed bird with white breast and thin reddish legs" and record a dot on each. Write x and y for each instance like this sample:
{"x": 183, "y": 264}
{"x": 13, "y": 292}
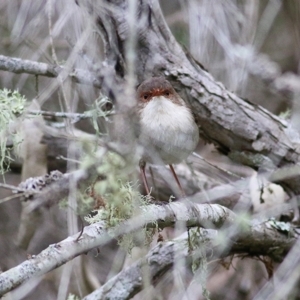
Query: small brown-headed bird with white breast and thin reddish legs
{"x": 167, "y": 132}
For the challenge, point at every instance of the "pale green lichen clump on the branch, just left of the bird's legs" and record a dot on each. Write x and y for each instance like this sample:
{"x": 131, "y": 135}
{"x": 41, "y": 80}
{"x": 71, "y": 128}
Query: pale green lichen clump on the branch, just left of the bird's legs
{"x": 122, "y": 200}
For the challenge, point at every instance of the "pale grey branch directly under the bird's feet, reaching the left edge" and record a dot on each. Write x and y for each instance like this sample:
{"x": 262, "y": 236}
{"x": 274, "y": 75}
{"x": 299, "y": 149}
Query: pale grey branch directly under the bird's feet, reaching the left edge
{"x": 212, "y": 216}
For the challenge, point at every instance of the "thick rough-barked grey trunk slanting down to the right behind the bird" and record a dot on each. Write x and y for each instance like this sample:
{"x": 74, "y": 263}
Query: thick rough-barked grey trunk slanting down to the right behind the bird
{"x": 245, "y": 132}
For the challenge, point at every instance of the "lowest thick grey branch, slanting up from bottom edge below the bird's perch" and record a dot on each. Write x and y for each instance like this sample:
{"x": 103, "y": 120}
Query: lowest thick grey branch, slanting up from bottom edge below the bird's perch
{"x": 162, "y": 257}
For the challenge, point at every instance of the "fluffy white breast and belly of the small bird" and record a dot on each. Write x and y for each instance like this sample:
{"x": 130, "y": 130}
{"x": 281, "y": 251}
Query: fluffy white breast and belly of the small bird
{"x": 168, "y": 131}
